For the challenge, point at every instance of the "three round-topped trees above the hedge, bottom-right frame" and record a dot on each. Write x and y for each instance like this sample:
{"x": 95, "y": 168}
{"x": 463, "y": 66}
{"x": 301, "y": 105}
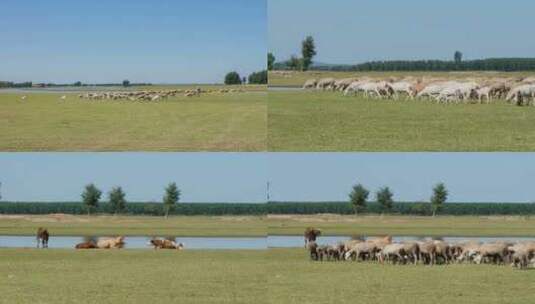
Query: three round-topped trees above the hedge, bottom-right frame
{"x": 358, "y": 198}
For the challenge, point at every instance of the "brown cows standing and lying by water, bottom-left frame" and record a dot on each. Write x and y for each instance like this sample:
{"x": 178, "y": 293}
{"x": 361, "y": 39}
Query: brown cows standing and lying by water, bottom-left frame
{"x": 109, "y": 243}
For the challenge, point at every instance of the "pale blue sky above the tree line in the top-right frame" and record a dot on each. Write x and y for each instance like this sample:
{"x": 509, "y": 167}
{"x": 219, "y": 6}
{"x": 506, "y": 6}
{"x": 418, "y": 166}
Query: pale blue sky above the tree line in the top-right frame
{"x": 349, "y": 31}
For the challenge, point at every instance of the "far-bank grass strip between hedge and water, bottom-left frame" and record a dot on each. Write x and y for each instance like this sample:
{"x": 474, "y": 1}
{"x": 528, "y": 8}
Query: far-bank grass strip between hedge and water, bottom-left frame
{"x": 134, "y": 225}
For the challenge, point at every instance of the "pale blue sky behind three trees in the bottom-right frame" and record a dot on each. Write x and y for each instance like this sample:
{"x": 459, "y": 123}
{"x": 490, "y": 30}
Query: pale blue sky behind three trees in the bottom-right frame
{"x": 481, "y": 177}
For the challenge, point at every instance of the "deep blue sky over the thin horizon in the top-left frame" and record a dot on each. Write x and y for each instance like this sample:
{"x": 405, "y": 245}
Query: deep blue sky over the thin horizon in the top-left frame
{"x": 163, "y": 41}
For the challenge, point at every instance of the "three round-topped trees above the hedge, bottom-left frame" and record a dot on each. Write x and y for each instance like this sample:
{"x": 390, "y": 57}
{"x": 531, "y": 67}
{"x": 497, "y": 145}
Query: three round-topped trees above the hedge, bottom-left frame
{"x": 117, "y": 198}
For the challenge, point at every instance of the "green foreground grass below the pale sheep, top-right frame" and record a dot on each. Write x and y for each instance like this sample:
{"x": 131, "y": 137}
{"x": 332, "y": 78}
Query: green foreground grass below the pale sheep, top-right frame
{"x": 327, "y": 121}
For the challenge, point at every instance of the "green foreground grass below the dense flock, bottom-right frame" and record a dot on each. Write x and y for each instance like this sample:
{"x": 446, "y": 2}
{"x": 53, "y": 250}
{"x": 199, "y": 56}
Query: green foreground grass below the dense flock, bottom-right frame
{"x": 293, "y": 278}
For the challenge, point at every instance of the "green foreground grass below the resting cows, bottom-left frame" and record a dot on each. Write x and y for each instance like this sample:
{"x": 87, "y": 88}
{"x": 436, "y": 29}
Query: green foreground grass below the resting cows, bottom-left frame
{"x": 131, "y": 276}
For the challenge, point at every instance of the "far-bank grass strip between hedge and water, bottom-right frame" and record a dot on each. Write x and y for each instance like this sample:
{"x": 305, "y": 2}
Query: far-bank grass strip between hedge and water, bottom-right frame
{"x": 403, "y": 225}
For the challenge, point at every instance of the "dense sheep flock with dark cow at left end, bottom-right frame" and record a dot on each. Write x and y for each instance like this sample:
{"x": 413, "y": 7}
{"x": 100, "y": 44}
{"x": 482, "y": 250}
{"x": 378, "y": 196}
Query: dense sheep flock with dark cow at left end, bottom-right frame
{"x": 428, "y": 252}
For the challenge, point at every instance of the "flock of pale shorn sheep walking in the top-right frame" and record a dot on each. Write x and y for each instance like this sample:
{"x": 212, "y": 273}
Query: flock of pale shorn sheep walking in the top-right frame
{"x": 519, "y": 91}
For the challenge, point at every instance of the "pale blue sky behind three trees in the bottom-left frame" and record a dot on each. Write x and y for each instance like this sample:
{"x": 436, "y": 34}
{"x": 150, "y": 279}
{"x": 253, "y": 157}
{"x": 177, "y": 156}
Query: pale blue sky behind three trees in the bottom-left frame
{"x": 202, "y": 177}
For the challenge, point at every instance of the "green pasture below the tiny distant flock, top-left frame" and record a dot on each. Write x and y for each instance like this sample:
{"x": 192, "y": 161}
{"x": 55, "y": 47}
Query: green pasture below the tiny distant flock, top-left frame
{"x": 213, "y": 122}
